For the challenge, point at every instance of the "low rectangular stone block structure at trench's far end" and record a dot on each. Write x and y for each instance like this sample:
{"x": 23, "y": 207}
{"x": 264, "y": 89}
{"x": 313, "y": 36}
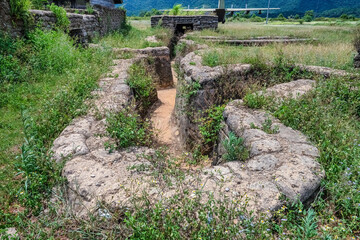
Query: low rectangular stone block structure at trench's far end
{"x": 183, "y": 23}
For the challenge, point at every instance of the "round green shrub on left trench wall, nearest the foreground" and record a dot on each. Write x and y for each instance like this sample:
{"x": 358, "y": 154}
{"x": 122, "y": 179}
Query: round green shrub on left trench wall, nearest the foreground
{"x": 127, "y": 129}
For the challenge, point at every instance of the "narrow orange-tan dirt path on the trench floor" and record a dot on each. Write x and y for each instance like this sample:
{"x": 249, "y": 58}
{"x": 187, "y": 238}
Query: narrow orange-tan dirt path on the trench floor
{"x": 163, "y": 121}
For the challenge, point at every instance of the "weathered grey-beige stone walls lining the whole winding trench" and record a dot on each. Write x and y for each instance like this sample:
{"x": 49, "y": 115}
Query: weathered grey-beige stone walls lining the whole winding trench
{"x": 280, "y": 164}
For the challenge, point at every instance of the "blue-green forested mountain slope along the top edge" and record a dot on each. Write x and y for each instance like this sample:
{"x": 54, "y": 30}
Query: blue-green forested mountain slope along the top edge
{"x": 287, "y": 6}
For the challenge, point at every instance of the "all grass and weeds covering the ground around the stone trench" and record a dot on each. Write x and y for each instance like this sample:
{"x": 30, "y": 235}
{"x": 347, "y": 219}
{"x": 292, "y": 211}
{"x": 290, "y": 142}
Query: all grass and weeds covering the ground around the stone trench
{"x": 55, "y": 78}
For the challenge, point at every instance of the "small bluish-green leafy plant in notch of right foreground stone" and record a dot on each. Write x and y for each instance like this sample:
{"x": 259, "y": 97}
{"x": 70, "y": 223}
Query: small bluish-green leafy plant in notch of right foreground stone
{"x": 235, "y": 148}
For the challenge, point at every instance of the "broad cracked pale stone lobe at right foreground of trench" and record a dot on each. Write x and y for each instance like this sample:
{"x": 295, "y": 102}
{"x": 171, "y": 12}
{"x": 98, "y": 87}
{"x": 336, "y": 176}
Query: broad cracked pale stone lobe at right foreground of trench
{"x": 278, "y": 164}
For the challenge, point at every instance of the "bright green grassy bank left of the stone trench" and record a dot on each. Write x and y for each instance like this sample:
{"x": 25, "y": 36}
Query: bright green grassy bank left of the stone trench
{"x": 58, "y": 78}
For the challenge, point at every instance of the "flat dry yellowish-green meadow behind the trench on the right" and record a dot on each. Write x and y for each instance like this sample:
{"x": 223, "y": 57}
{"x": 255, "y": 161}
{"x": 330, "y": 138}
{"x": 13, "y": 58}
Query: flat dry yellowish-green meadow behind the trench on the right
{"x": 332, "y": 46}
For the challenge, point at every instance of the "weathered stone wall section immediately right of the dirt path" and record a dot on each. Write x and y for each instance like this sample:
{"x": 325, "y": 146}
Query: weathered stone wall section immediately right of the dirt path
{"x": 217, "y": 84}
